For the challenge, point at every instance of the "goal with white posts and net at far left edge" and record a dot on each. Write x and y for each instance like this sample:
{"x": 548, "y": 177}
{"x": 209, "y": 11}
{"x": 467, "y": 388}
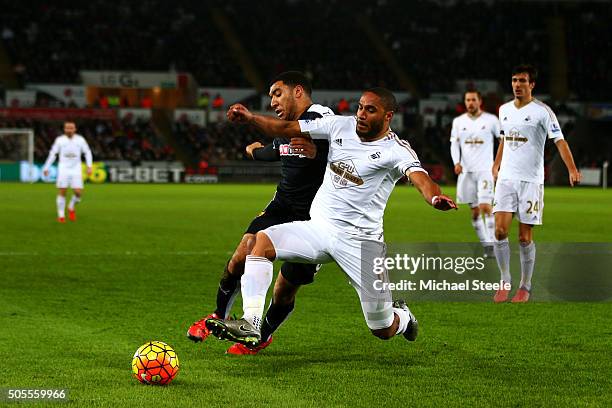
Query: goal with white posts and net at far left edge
{"x": 16, "y": 149}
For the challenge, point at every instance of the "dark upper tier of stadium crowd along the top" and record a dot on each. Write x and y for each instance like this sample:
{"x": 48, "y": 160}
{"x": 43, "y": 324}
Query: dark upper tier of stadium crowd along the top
{"x": 473, "y": 39}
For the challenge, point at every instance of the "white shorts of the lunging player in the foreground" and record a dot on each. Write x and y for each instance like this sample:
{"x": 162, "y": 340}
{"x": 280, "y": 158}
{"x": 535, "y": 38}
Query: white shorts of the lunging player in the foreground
{"x": 318, "y": 243}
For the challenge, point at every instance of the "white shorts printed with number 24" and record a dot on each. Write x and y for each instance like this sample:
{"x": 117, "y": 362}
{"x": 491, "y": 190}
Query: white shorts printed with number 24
{"x": 523, "y": 198}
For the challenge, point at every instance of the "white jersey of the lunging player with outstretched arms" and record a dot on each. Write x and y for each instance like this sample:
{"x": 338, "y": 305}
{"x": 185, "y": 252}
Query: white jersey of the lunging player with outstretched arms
{"x": 359, "y": 176}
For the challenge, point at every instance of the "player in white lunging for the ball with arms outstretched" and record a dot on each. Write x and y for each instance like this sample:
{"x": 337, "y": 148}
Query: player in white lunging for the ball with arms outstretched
{"x": 365, "y": 160}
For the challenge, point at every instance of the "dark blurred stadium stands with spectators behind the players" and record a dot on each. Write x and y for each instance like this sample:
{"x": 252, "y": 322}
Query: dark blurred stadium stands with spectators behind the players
{"x": 231, "y": 44}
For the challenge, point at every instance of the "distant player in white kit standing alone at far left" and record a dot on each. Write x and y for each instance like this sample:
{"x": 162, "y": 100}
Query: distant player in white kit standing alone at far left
{"x": 69, "y": 147}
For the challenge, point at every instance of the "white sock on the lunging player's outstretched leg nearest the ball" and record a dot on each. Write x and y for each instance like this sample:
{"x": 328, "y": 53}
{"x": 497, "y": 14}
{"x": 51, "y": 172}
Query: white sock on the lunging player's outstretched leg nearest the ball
{"x": 254, "y": 286}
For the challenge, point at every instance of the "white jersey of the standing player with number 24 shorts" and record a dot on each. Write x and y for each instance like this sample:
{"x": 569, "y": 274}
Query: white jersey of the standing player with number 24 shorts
{"x": 525, "y": 131}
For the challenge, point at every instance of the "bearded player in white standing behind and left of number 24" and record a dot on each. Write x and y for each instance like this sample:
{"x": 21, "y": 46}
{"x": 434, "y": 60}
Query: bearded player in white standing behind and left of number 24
{"x": 472, "y": 143}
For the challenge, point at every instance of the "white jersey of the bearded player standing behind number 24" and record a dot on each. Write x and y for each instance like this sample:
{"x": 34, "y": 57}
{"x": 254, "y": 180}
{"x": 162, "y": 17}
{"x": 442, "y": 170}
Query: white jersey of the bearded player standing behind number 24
{"x": 475, "y": 137}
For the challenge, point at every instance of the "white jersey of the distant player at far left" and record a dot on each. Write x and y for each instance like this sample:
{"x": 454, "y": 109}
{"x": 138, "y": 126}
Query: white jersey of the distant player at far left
{"x": 69, "y": 150}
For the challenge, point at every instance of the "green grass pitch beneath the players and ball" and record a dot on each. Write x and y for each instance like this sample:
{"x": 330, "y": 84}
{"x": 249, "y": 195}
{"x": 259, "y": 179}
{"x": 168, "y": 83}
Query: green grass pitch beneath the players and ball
{"x": 143, "y": 261}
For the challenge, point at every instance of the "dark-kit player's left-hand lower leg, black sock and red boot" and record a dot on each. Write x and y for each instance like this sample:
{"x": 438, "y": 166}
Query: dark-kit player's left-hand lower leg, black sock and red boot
{"x": 228, "y": 288}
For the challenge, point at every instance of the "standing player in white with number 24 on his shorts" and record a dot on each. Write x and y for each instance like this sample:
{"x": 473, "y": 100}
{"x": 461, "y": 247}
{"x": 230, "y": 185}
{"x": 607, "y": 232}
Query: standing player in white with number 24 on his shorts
{"x": 519, "y": 169}
